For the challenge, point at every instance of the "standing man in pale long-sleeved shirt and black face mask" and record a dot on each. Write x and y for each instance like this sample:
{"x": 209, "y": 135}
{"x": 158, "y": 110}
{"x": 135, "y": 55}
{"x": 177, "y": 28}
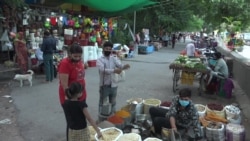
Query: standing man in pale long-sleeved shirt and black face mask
{"x": 108, "y": 65}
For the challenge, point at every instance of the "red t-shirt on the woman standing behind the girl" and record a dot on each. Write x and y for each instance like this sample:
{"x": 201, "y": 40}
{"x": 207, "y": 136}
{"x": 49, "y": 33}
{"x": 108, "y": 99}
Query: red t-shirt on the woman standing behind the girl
{"x": 76, "y": 73}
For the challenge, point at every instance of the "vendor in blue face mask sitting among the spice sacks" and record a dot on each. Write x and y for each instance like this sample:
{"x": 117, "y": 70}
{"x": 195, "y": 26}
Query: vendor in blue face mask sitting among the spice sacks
{"x": 181, "y": 115}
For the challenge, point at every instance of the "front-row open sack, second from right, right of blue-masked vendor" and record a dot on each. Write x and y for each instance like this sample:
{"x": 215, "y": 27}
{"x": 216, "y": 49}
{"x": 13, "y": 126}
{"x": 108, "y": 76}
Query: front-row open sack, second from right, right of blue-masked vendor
{"x": 215, "y": 131}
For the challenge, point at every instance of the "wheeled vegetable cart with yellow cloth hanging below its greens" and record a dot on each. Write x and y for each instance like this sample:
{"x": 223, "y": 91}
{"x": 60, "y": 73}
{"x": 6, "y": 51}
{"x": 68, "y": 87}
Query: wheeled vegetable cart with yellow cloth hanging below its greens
{"x": 186, "y": 69}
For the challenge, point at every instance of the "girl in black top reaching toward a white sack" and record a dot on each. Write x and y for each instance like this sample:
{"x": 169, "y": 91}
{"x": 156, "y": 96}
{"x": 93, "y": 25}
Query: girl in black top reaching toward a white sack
{"x": 76, "y": 114}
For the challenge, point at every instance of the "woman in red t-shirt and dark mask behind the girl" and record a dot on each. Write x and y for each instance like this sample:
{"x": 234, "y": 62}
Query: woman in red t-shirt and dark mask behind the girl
{"x": 71, "y": 69}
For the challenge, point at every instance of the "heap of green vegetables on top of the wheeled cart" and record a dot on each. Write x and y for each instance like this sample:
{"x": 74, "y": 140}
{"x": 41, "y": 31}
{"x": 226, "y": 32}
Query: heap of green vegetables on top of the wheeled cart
{"x": 188, "y": 63}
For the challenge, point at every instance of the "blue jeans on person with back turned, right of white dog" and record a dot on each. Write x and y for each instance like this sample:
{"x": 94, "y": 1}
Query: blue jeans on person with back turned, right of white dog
{"x": 48, "y": 65}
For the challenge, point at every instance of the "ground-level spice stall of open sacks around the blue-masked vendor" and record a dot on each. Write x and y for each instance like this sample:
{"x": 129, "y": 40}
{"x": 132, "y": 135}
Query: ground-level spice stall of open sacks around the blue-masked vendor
{"x": 132, "y": 123}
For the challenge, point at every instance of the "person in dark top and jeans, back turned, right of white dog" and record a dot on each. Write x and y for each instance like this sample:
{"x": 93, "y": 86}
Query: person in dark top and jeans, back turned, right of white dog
{"x": 48, "y": 48}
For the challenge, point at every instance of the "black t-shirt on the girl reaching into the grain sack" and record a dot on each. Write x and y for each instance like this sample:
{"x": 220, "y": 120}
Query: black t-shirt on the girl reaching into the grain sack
{"x": 75, "y": 117}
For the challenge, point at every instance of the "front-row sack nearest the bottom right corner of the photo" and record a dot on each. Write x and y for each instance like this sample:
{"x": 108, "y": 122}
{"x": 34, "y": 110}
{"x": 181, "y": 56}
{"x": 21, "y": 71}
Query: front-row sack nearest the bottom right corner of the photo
{"x": 235, "y": 132}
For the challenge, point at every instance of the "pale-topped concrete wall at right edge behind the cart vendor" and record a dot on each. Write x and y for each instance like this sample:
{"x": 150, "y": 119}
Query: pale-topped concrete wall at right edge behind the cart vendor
{"x": 241, "y": 67}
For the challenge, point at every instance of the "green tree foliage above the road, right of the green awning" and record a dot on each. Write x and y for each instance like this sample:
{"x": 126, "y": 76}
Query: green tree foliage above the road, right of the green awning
{"x": 190, "y": 15}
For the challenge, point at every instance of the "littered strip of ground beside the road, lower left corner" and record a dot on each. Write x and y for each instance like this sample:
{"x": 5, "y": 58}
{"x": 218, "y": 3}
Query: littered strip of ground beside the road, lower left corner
{"x": 8, "y": 131}
